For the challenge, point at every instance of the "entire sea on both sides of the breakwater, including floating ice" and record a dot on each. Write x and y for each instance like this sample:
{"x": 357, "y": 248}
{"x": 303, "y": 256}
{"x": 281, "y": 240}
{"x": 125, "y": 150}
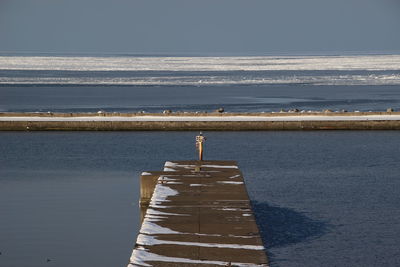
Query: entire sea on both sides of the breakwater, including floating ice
{"x": 321, "y": 198}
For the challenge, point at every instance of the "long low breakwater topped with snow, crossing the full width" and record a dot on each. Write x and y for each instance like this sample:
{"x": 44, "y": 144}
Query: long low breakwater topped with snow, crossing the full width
{"x": 199, "y": 121}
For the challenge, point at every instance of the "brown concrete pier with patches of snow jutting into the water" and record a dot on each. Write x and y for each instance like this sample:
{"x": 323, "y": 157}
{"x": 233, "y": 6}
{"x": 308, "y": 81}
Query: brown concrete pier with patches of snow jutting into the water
{"x": 197, "y": 213}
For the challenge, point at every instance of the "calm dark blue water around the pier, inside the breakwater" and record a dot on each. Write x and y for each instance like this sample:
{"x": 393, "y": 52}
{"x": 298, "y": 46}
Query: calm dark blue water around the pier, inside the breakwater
{"x": 321, "y": 198}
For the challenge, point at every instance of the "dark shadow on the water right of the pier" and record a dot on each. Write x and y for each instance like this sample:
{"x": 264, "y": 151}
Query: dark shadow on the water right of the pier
{"x": 282, "y": 226}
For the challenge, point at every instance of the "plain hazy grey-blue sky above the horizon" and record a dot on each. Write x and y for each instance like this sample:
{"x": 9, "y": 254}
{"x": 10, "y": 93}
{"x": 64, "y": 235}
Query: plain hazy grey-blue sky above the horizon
{"x": 200, "y": 26}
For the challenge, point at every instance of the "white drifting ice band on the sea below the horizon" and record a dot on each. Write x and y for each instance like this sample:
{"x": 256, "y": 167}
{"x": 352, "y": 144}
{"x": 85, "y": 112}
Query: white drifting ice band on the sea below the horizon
{"x": 258, "y": 70}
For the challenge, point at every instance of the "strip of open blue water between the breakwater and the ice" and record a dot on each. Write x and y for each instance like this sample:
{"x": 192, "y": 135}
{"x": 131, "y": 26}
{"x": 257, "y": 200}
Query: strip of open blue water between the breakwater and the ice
{"x": 234, "y": 98}
